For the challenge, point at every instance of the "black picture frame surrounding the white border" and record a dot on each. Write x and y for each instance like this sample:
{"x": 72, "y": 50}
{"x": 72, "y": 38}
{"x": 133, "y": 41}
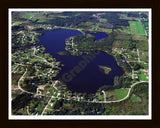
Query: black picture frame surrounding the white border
{"x": 5, "y": 5}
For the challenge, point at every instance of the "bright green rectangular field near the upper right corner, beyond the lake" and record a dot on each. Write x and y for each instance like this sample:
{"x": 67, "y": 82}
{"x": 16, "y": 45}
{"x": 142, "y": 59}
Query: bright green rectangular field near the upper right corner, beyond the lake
{"x": 136, "y": 27}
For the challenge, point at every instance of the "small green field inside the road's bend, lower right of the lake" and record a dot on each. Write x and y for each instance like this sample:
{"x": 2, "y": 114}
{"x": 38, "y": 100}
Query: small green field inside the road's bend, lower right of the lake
{"x": 121, "y": 93}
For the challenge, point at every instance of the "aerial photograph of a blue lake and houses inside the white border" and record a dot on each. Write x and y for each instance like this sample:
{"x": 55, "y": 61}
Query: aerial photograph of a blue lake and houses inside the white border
{"x": 79, "y": 63}
